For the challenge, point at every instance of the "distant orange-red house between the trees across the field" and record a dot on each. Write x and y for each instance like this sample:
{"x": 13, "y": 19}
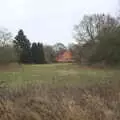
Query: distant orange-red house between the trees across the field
{"x": 64, "y": 56}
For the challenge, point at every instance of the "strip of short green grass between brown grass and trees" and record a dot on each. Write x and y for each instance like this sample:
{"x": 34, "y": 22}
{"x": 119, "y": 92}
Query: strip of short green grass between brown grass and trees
{"x": 58, "y": 74}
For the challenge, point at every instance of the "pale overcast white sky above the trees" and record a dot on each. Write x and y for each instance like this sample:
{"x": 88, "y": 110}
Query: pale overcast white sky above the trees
{"x": 50, "y": 21}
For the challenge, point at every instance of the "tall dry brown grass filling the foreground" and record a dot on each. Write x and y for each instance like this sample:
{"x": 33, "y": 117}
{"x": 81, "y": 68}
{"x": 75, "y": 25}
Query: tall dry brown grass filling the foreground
{"x": 43, "y": 102}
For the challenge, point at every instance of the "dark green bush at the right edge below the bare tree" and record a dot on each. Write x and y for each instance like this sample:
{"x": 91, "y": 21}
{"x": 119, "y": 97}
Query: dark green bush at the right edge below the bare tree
{"x": 108, "y": 49}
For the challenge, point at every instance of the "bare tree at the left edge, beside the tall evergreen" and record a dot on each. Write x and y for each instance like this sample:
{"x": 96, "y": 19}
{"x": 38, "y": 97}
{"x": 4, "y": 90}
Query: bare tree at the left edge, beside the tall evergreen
{"x": 7, "y": 52}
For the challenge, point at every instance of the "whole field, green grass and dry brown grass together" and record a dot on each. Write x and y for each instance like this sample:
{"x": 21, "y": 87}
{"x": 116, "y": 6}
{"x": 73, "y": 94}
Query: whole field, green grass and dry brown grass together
{"x": 59, "y": 92}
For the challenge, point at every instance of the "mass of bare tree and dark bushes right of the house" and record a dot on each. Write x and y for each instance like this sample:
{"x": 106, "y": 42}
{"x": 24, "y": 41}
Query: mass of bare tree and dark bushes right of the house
{"x": 98, "y": 40}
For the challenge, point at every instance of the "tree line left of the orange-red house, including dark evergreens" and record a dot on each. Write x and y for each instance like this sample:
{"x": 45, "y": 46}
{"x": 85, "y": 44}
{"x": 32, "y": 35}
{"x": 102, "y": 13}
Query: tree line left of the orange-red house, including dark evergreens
{"x": 21, "y": 50}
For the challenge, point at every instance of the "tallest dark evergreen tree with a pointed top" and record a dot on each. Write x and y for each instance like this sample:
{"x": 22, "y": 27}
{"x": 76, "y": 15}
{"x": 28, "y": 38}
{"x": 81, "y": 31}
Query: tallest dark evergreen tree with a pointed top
{"x": 22, "y": 45}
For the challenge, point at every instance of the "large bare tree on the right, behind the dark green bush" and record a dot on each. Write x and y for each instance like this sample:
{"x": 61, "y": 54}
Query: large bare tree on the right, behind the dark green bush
{"x": 90, "y": 31}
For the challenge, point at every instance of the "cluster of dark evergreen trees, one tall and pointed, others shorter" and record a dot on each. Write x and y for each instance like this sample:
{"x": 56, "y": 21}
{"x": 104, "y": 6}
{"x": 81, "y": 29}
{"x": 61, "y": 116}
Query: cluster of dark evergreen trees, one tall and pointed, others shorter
{"x": 26, "y": 52}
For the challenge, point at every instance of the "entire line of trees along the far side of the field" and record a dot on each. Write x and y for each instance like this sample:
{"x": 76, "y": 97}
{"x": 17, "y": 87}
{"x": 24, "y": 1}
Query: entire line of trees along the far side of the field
{"x": 97, "y": 43}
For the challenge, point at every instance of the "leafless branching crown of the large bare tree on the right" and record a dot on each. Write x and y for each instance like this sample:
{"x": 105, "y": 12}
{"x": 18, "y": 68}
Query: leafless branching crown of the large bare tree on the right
{"x": 89, "y": 28}
